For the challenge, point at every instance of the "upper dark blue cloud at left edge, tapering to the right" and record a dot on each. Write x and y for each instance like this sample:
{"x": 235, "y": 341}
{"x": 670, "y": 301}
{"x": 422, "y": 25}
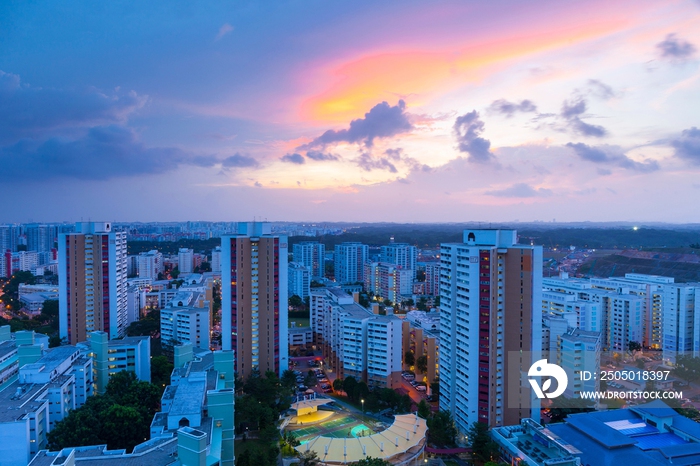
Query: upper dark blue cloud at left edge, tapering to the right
{"x": 31, "y": 112}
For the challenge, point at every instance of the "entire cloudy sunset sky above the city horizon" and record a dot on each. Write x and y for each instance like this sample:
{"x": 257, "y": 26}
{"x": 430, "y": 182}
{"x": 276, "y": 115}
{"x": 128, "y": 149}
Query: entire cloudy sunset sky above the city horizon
{"x": 394, "y": 111}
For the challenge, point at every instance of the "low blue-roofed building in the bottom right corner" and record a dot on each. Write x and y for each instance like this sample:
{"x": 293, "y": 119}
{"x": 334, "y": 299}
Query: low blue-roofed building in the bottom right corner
{"x": 648, "y": 434}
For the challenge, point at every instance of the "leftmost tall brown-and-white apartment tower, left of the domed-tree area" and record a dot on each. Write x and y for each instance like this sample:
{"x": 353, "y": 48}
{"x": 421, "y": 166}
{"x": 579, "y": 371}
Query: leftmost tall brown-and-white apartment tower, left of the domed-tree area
{"x": 92, "y": 282}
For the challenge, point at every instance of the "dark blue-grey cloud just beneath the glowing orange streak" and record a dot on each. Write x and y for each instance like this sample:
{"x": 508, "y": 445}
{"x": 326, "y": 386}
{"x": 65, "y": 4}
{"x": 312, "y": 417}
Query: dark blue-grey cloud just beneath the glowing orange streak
{"x": 381, "y": 121}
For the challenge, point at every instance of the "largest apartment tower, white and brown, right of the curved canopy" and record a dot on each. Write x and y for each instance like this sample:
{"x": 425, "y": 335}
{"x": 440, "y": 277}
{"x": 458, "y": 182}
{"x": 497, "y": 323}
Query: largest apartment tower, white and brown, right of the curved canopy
{"x": 491, "y": 307}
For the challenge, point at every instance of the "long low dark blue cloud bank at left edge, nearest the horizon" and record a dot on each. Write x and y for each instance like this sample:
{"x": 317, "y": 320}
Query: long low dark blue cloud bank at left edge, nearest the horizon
{"x": 105, "y": 152}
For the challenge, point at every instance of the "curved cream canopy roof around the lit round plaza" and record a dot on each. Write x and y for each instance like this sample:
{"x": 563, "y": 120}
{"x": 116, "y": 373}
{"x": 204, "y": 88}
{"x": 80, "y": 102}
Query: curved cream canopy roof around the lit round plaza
{"x": 400, "y": 443}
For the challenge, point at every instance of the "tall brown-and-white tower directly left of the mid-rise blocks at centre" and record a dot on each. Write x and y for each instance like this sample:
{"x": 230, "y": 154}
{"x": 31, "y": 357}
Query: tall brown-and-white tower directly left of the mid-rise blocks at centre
{"x": 254, "y": 298}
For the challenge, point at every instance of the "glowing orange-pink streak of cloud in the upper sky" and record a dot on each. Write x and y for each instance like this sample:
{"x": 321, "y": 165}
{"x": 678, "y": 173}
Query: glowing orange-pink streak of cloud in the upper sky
{"x": 358, "y": 84}
